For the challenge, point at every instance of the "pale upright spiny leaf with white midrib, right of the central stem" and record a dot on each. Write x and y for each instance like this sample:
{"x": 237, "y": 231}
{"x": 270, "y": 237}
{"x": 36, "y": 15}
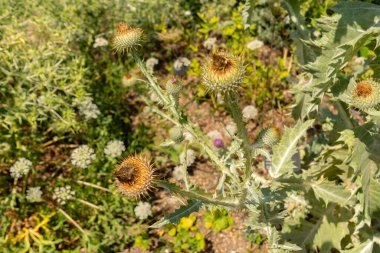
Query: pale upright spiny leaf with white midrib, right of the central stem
{"x": 286, "y": 148}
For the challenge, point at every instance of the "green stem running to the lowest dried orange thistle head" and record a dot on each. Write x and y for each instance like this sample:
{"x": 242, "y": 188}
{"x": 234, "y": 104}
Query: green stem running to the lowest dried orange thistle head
{"x": 234, "y": 203}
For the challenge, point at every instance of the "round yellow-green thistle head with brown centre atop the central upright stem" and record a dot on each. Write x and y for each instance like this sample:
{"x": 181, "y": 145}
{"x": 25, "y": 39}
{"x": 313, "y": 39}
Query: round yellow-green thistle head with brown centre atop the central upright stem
{"x": 223, "y": 72}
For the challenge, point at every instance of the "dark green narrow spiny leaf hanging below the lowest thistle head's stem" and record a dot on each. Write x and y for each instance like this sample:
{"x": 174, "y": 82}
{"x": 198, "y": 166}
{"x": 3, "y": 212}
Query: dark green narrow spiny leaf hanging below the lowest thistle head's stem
{"x": 174, "y": 218}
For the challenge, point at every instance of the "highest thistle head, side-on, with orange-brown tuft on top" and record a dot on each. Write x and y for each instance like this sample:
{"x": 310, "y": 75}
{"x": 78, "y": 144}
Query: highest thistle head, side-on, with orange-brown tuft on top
{"x": 127, "y": 38}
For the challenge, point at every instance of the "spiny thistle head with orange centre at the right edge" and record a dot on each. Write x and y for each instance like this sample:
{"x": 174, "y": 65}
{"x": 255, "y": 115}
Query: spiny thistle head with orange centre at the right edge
{"x": 365, "y": 94}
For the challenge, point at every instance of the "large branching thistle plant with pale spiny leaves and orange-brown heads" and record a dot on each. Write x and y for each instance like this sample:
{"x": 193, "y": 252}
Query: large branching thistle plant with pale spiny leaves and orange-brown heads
{"x": 309, "y": 199}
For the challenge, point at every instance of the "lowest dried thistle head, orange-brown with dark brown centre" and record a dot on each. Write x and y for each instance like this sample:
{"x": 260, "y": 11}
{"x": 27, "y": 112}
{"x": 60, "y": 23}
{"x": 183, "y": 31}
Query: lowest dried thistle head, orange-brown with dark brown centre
{"x": 134, "y": 175}
